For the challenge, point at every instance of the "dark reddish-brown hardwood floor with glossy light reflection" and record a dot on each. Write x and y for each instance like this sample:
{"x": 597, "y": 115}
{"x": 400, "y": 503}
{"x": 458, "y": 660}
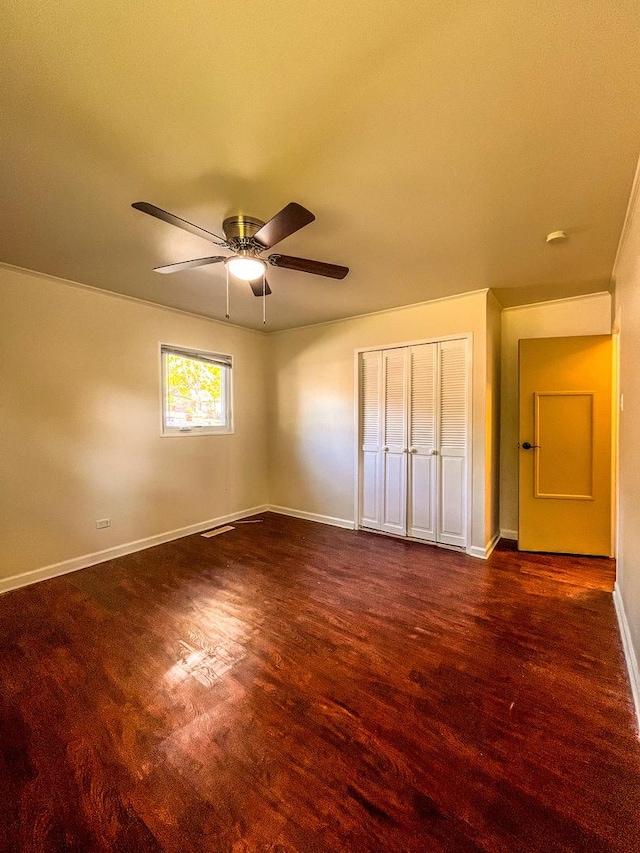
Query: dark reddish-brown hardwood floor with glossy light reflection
{"x": 289, "y": 686}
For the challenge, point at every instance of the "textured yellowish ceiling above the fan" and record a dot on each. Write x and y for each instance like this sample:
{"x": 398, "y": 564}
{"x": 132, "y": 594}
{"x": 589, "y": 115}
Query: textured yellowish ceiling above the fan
{"x": 437, "y": 143}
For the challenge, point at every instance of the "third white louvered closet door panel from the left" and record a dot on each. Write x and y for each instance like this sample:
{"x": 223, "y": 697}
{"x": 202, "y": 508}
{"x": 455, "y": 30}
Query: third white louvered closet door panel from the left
{"x": 423, "y": 443}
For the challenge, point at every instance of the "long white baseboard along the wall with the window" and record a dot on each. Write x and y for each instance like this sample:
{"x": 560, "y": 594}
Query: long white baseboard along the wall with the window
{"x": 63, "y": 568}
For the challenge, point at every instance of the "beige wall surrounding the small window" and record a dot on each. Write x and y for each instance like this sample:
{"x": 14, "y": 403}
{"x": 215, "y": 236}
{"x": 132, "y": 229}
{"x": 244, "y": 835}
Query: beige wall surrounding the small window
{"x": 81, "y": 424}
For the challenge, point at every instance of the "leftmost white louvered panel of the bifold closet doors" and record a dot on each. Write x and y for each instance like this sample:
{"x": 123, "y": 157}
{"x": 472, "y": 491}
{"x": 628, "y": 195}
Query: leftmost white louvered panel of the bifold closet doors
{"x": 371, "y": 439}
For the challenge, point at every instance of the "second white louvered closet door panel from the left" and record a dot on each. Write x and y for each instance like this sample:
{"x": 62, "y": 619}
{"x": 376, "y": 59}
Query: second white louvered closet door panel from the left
{"x": 394, "y": 488}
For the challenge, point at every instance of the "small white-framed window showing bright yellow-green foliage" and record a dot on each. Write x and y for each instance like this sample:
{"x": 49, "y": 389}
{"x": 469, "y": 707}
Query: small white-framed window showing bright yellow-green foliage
{"x": 196, "y": 392}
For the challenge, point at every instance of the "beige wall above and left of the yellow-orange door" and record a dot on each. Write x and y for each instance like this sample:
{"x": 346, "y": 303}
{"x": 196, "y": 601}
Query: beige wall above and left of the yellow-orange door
{"x": 586, "y": 315}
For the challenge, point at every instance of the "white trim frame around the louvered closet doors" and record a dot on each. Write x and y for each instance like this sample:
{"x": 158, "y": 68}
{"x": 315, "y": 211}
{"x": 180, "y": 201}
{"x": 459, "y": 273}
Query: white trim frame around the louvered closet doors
{"x": 468, "y": 337}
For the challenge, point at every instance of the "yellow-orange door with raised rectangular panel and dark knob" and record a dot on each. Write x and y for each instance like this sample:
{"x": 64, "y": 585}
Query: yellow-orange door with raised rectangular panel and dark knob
{"x": 565, "y": 445}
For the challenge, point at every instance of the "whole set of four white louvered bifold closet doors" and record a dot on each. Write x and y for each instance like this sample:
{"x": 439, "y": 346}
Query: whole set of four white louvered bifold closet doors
{"x": 414, "y": 439}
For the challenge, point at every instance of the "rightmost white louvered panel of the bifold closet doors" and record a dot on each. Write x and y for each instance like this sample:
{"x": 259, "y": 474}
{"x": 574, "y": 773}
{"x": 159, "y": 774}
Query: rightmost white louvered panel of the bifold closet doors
{"x": 453, "y": 418}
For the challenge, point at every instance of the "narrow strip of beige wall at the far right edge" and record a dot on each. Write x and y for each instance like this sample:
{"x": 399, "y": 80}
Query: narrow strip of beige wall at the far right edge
{"x": 627, "y": 311}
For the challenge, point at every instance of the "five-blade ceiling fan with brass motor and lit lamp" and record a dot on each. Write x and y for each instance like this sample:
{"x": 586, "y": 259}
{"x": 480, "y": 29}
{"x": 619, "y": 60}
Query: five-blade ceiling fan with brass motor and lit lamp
{"x": 248, "y": 238}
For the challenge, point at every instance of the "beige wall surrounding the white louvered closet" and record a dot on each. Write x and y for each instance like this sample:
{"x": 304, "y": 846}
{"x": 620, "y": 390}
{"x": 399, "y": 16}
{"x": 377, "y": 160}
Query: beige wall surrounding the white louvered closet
{"x": 313, "y": 426}
